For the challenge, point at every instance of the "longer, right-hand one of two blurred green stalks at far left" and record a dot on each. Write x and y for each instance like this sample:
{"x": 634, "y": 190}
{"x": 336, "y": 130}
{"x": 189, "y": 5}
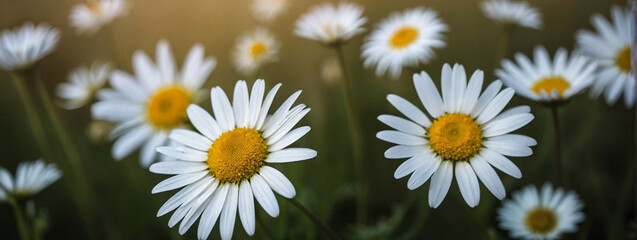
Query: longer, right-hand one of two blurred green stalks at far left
{"x": 86, "y": 198}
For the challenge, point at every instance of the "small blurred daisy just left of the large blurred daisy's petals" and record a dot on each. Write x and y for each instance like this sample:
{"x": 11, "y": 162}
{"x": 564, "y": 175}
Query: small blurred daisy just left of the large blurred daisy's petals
{"x": 82, "y": 85}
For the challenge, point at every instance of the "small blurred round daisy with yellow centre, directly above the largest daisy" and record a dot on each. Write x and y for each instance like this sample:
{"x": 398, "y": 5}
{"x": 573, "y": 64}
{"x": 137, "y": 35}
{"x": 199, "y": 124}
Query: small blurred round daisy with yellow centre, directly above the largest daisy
{"x": 254, "y": 49}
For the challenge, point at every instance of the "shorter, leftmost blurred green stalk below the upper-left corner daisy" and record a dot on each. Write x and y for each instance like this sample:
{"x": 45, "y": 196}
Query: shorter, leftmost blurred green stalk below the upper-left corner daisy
{"x": 19, "y": 80}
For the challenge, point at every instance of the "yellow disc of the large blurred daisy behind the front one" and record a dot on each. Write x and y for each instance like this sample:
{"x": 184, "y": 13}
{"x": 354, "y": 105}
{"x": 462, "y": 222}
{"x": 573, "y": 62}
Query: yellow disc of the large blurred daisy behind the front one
{"x": 167, "y": 108}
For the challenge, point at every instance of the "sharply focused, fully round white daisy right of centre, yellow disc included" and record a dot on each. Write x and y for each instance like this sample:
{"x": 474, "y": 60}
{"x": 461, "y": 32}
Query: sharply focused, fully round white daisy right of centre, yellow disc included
{"x": 468, "y": 136}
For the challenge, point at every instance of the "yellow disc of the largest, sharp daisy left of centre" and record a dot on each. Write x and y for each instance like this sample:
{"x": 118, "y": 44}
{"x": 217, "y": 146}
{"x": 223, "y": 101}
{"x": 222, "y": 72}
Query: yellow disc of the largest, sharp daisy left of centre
{"x": 237, "y": 155}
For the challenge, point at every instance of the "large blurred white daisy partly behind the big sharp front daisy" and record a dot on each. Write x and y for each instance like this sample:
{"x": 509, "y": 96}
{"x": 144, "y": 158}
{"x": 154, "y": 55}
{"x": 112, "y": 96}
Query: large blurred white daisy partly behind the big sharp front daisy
{"x": 146, "y": 107}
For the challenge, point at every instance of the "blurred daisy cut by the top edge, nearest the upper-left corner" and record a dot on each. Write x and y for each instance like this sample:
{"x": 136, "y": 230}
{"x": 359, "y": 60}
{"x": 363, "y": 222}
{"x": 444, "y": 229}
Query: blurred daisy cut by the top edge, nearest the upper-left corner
{"x": 88, "y": 18}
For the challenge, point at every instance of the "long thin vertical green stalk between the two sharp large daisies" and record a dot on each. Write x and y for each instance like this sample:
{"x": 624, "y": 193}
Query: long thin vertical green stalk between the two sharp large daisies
{"x": 354, "y": 128}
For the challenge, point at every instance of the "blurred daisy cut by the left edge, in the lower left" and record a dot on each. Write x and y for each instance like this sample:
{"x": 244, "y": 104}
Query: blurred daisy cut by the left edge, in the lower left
{"x": 30, "y": 178}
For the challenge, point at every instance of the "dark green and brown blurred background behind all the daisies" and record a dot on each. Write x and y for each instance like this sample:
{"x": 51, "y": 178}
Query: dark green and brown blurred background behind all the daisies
{"x": 598, "y": 139}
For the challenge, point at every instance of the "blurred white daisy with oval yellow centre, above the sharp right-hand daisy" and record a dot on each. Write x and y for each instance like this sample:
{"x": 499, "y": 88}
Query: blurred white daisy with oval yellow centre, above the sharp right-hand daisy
{"x": 403, "y": 39}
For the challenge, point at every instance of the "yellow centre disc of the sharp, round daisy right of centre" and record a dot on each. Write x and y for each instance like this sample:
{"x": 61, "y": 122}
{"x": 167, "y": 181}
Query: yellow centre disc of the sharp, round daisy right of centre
{"x": 455, "y": 137}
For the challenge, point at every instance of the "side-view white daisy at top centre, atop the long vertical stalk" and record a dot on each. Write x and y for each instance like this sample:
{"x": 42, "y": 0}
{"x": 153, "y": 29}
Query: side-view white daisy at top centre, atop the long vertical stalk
{"x": 331, "y": 25}
